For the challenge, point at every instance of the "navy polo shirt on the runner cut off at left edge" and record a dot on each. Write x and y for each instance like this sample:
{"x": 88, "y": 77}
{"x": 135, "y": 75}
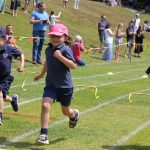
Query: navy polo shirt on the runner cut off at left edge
{"x": 6, "y": 54}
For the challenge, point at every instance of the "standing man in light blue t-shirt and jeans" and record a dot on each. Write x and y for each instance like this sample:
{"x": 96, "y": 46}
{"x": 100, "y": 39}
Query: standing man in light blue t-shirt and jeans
{"x": 39, "y": 19}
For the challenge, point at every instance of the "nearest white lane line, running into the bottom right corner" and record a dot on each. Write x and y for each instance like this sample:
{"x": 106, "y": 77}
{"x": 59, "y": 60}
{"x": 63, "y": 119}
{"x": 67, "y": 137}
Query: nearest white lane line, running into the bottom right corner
{"x": 130, "y": 135}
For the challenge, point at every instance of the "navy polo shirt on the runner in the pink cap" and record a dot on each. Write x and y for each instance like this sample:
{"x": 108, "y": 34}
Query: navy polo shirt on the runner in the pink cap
{"x": 58, "y": 75}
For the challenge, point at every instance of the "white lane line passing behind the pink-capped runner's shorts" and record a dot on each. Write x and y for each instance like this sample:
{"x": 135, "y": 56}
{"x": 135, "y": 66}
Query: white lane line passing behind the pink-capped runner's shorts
{"x": 79, "y": 89}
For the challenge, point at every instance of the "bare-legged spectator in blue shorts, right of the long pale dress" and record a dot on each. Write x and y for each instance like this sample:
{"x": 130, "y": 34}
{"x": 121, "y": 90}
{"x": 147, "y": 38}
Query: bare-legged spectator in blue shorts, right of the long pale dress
{"x": 118, "y": 40}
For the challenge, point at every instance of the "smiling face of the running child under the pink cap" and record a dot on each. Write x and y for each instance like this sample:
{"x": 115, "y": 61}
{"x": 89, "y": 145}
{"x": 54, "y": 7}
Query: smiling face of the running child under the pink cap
{"x": 57, "y": 40}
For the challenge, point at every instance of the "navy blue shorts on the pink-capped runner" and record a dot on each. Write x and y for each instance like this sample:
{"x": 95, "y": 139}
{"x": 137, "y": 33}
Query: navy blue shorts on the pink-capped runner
{"x": 62, "y": 95}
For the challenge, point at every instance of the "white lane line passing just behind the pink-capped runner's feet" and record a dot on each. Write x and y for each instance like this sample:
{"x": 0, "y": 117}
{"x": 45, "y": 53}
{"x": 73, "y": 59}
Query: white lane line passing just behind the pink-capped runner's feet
{"x": 101, "y": 105}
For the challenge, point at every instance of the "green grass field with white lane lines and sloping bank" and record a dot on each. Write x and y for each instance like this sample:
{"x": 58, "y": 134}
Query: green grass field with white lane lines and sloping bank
{"x": 109, "y": 122}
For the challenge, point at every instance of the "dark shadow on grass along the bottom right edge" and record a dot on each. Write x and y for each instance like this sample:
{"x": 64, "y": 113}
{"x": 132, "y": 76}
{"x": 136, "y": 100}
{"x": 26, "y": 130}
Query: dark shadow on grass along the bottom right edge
{"x": 128, "y": 147}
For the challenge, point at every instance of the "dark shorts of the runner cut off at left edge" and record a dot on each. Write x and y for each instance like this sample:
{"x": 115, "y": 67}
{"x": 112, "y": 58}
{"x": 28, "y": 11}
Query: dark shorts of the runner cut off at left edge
{"x": 5, "y": 84}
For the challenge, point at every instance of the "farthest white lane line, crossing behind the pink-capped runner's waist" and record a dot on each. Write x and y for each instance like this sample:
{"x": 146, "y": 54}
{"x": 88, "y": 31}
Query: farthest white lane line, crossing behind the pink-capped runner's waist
{"x": 76, "y": 78}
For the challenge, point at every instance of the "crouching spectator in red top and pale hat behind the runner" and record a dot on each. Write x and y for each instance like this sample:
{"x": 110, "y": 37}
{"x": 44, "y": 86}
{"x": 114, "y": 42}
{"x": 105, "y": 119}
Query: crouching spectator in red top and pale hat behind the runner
{"x": 77, "y": 47}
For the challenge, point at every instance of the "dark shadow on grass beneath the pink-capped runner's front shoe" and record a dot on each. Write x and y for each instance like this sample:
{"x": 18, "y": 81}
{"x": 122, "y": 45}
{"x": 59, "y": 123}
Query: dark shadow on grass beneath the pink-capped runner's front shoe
{"x": 28, "y": 145}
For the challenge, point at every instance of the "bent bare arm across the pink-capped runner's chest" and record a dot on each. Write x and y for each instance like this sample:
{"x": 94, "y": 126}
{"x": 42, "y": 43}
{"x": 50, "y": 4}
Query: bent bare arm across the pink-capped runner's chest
{"x": 68, "y": 63}
